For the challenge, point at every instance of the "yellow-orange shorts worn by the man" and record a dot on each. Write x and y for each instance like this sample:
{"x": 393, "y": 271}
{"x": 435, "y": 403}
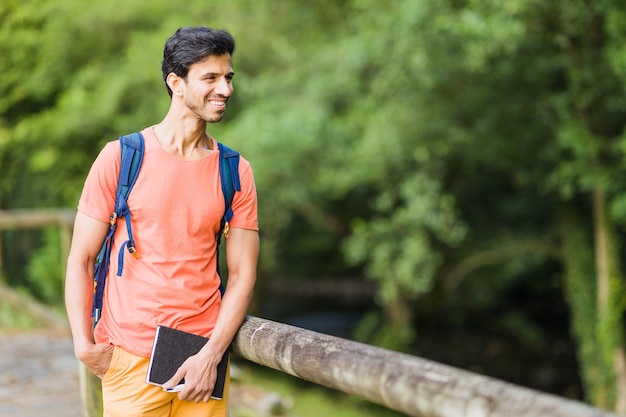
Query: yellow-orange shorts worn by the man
{"x": 126, "y": 394}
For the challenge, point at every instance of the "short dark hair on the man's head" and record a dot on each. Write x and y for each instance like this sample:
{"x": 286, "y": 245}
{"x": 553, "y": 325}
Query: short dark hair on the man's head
{"x": 190, "y": 45}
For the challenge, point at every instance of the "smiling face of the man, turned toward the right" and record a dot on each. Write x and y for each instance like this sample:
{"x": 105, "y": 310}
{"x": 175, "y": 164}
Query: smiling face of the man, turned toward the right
{"x": 208, "y": 86}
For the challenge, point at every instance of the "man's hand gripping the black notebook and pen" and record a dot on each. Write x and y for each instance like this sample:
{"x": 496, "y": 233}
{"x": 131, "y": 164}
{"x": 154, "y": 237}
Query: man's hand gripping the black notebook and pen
{"x": 200, "y": 373}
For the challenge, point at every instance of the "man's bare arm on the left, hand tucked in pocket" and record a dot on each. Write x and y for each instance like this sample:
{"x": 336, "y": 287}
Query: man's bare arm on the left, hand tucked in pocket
{"x": 87, "y": 239}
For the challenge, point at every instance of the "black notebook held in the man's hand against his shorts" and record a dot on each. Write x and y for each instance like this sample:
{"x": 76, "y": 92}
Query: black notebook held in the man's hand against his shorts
{"x": 171, "y": 348}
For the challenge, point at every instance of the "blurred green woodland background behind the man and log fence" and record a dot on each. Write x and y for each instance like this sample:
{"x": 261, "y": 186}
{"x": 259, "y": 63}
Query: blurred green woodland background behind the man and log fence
{"x": 443, "y": 178}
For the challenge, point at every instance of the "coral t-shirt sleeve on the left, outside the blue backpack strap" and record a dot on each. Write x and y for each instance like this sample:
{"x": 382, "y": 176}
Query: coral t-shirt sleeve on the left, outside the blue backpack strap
{"x": 98, "y": 197}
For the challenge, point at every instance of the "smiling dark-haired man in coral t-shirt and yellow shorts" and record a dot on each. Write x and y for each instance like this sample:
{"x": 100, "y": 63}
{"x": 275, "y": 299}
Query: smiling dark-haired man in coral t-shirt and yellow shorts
{"x": 176, "y": 207}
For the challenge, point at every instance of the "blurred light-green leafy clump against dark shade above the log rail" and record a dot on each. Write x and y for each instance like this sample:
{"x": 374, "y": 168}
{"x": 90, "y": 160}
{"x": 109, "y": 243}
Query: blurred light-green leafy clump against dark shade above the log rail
{"x": 398, "y": 245}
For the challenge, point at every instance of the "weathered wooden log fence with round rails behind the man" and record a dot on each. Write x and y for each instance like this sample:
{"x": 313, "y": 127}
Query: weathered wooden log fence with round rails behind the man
{"x": 409, "y": 384}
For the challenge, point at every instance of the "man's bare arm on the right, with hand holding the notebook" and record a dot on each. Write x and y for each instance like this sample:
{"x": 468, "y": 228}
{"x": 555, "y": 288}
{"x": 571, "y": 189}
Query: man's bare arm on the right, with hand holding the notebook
{"x": 200, "y": 371}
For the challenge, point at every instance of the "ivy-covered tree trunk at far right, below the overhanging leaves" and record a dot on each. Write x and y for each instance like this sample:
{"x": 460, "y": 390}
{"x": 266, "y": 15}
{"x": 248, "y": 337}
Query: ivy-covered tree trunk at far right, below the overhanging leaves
{"x": 596, "y": 312}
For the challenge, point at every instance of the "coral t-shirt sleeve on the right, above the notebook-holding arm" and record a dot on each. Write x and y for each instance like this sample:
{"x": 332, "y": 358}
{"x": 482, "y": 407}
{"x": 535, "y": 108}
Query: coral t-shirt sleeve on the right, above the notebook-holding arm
{"x": 245, "y": 201}
